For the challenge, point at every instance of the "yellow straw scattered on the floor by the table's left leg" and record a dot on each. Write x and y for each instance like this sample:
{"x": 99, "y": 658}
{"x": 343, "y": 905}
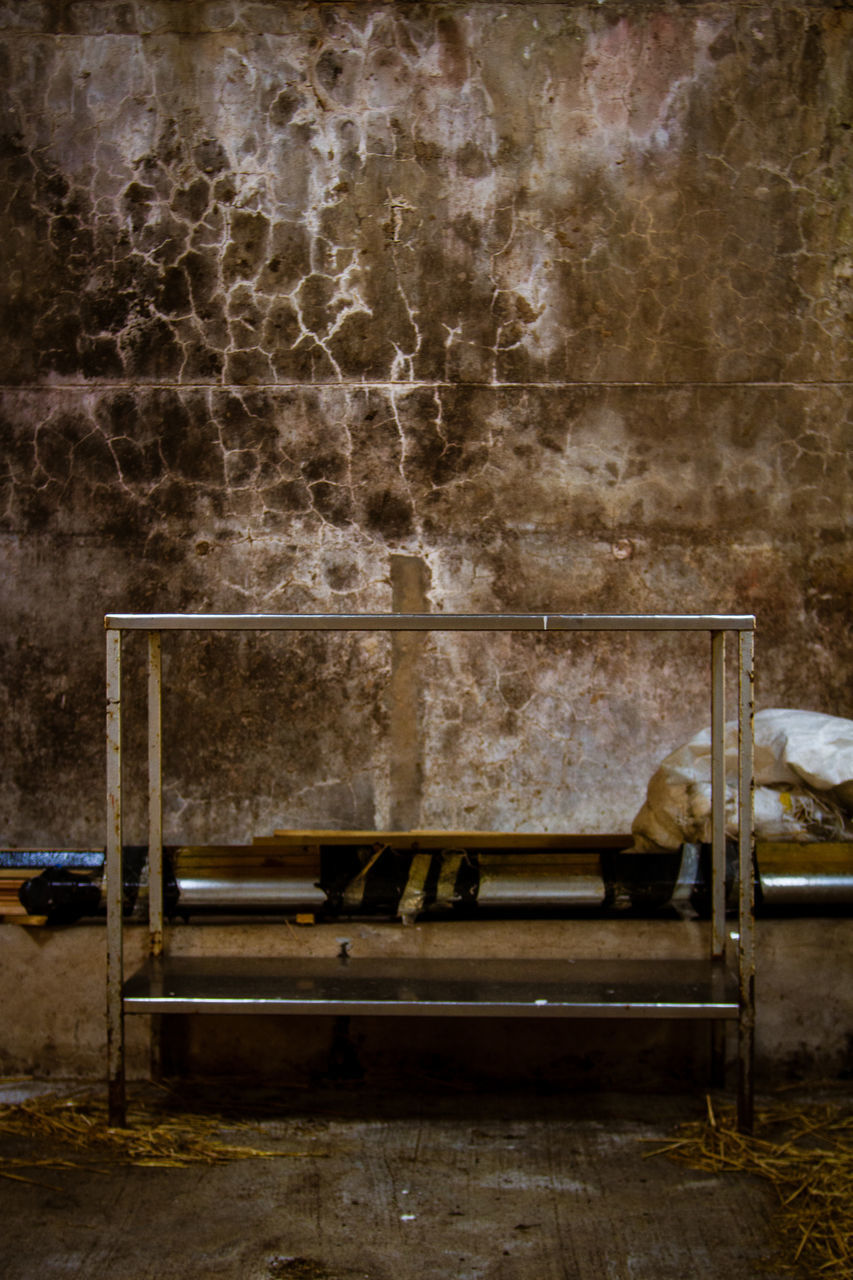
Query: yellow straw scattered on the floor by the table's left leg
{"x": 152, "y": 1140}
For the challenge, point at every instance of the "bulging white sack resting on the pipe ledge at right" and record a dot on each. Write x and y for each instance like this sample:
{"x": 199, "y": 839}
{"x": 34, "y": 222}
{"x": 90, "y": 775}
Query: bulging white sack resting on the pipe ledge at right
{"x": 804, "y": 784}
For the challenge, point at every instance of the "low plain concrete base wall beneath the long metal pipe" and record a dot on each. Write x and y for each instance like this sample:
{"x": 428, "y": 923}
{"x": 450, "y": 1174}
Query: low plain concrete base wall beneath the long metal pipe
{"x": 54, "y": 1022}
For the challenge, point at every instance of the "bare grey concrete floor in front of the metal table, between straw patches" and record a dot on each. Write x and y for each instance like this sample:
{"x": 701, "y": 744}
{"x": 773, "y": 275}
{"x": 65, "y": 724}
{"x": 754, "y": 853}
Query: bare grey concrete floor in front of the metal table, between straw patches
{"x": 469, "y": 1187}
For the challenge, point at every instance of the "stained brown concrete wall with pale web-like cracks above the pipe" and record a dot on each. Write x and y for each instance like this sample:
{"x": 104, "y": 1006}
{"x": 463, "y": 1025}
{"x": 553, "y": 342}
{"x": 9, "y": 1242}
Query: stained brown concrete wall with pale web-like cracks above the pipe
{"x": 554, "y": 299}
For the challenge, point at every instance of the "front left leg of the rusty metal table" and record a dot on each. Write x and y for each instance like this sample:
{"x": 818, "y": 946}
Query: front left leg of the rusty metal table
{"x": 113, "y": 879}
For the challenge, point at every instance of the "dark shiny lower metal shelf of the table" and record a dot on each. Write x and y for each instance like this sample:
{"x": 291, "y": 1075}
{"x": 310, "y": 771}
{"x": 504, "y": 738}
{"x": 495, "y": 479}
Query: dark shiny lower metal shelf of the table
{"x": 540, "y": 989}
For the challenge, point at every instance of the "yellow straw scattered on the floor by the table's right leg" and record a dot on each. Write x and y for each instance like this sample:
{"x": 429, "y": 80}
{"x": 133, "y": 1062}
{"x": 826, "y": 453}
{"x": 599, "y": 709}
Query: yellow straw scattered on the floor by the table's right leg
{"x": 808, "y": 1155}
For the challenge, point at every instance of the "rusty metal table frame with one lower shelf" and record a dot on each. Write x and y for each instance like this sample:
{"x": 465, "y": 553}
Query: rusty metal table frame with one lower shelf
{"x": 711, "y": 990}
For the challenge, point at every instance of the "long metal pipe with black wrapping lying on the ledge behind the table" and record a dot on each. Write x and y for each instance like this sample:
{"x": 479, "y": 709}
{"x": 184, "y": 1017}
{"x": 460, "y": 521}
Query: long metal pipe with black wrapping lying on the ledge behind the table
{"x": 791, "y": 876}
